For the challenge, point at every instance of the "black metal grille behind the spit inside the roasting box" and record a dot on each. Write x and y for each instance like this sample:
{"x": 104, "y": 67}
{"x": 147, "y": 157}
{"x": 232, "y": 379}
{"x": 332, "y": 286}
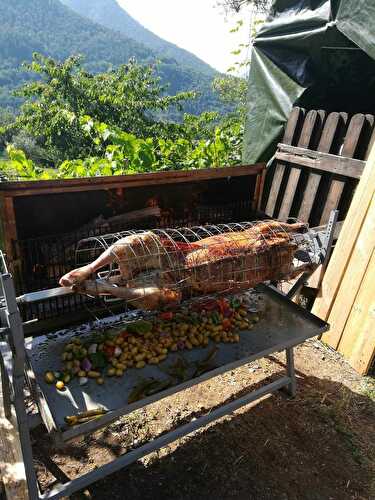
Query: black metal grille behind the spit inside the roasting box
{"x": 45, "y": 259}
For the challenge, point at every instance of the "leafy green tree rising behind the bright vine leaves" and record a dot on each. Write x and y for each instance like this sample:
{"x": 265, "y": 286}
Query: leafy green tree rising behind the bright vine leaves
{"x": 129, "y": 97}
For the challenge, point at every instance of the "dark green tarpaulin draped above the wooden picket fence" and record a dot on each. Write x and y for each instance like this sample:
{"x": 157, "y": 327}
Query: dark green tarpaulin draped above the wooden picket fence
{"x": 318, "y": 54}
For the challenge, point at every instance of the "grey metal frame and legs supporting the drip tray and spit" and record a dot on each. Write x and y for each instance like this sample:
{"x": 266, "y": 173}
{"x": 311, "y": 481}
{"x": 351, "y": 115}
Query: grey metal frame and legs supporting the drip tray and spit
{"x": 13, "y": 362}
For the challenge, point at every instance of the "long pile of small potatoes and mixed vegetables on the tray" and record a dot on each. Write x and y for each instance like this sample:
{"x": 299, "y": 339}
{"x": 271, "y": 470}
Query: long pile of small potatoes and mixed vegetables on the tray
{"x": 111, "y": 353}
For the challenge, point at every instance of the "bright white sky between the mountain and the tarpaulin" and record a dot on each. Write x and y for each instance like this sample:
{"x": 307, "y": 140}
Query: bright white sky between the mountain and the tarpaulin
{"x": 195, "y": 25}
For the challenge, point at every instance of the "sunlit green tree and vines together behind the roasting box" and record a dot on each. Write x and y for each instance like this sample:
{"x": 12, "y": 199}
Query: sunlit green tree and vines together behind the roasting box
{"x": 74, "y": 123}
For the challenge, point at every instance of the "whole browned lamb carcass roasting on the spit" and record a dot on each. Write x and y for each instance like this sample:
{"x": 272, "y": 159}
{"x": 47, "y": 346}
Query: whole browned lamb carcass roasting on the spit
{"x": 162, "y": 268}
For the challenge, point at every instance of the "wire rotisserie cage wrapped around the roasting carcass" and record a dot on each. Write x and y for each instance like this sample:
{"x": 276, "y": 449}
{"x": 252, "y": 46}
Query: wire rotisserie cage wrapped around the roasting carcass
{"x": 163, "y": 267}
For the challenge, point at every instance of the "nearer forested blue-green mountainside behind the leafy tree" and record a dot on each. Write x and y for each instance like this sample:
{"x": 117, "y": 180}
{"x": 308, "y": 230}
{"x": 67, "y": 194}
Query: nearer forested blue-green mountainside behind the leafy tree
{"x": 49, "y": 27}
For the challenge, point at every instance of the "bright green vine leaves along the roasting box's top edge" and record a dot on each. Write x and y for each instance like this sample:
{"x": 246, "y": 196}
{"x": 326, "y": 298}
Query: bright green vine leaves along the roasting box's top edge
{"x": 119, "y": 152}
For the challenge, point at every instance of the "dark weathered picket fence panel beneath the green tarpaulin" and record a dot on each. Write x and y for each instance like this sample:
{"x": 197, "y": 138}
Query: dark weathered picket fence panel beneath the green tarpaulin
{"x": 317, "y": 165}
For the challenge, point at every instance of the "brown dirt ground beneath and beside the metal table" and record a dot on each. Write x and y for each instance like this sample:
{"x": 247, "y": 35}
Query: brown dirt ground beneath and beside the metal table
{"x": 319, "y": 445}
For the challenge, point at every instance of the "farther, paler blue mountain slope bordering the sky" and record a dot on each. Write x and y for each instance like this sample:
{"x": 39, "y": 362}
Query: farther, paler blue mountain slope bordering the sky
{"x": 111, "y": 15}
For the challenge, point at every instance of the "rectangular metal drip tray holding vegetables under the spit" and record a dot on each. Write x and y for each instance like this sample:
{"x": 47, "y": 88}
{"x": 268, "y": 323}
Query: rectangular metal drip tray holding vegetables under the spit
{"x": 282, "y": 324}
